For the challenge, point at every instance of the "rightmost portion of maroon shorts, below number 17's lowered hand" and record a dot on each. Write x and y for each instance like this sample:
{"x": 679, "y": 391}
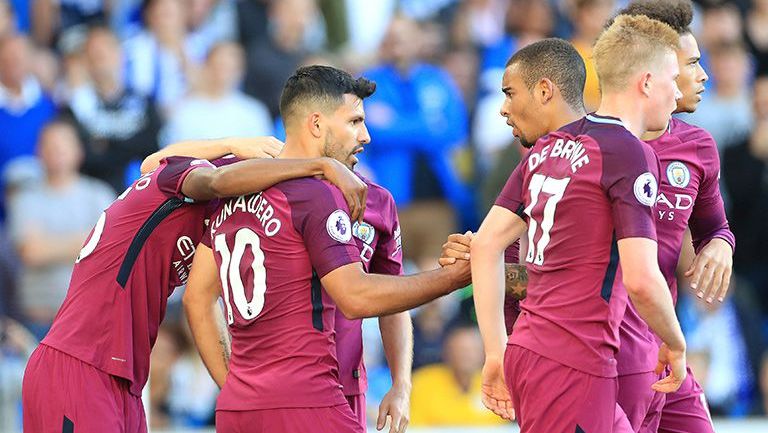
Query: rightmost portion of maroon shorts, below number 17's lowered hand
{"x": 686, "y": 410}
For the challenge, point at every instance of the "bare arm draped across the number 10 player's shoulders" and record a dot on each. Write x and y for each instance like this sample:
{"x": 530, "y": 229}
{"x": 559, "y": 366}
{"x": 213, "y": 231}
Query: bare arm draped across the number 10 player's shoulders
{"x": 255, "y": 175}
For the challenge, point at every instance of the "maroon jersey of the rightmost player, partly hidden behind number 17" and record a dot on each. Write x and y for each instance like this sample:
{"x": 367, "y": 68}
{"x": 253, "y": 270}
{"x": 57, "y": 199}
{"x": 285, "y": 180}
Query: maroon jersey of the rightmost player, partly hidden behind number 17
{"x": 689, "y": 195}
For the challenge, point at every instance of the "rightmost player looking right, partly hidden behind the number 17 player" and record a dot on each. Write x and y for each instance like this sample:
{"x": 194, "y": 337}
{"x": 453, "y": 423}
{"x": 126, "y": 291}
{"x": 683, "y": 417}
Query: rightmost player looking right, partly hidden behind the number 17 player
{"x": 689, "y": 195}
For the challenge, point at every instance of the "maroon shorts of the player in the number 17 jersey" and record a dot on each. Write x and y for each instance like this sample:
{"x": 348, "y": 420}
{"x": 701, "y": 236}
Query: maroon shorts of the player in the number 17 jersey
{"x": 550, "y": 397}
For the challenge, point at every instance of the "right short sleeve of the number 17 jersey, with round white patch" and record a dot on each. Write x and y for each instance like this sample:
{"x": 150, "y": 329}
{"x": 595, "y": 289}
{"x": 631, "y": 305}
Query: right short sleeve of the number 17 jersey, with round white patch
{"x": 630, "y": 180}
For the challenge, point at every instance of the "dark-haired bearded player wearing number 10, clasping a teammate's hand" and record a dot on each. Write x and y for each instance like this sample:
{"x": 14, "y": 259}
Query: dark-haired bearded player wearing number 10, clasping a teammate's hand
{"x": 286, "y": 260}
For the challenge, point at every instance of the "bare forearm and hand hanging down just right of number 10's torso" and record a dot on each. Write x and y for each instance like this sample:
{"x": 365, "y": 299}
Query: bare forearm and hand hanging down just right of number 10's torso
{"x": 397, "y": 336}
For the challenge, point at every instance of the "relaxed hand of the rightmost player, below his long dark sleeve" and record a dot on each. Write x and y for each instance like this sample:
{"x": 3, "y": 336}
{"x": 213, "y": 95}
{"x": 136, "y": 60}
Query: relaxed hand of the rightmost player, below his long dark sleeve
{"x": 711, "y": 270}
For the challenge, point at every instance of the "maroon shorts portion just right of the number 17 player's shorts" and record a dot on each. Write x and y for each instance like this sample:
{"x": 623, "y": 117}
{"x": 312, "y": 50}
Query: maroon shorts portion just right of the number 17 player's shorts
{"x": 641, "y": 403}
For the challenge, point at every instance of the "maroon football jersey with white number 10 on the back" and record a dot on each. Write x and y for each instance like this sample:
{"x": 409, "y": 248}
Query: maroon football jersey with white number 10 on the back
{"x": 272, "y": 249}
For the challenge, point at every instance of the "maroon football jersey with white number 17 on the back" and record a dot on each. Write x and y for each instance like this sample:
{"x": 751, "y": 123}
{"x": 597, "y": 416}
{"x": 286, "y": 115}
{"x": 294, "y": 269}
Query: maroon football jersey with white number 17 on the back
{"x": 584, "y": 187}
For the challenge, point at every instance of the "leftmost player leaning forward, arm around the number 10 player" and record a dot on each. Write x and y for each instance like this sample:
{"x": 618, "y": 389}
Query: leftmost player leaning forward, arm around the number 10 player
{"x": 88, "y": 373}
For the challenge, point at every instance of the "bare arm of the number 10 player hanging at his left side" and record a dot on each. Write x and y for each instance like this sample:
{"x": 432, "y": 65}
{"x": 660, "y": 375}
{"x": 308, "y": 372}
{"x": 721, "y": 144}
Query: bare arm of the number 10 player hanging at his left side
{"x": 204, "y": 315}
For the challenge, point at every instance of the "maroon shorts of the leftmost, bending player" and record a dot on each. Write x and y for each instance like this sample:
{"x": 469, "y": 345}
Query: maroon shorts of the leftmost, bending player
{"x": 63, "y": 394}
